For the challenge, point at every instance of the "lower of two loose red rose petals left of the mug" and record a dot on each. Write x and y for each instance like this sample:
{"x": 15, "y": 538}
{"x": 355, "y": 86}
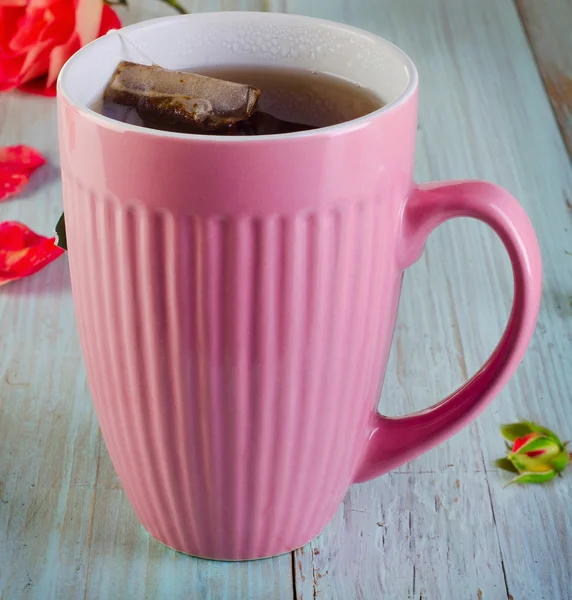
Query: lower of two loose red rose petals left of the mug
{"x": 23, "y": 252}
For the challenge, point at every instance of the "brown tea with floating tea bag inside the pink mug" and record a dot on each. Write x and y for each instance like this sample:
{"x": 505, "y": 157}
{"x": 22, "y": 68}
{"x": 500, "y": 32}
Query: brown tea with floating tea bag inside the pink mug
{"x": 233, "y": 100}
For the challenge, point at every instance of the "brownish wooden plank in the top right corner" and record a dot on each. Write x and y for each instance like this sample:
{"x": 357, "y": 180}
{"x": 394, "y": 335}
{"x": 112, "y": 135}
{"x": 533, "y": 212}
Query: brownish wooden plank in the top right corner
{"x": 548, "y": 26}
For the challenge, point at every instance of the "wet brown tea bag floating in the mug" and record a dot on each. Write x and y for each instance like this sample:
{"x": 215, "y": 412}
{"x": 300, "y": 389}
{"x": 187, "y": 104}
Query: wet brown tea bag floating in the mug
{"x": 175, "y": 100}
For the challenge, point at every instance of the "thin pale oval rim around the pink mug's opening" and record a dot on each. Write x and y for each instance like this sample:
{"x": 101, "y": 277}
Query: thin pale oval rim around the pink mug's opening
{"x": 341, "y": 128}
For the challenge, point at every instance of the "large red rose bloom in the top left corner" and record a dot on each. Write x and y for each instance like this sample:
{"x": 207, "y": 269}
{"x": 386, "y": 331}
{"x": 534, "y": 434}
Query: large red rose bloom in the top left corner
{"x": 38, "y": 36}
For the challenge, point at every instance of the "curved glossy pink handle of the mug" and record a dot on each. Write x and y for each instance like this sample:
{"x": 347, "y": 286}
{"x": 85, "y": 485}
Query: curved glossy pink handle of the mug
{"x": 394, "y": 441}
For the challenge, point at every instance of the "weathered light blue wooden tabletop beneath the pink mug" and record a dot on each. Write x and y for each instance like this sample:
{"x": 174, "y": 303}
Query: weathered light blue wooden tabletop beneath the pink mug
{"x": 496, "y": 103}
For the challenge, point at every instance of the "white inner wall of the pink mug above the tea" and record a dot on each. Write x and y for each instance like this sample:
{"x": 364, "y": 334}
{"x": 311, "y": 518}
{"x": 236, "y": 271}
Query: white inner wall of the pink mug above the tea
{"x": 242, "y": 39}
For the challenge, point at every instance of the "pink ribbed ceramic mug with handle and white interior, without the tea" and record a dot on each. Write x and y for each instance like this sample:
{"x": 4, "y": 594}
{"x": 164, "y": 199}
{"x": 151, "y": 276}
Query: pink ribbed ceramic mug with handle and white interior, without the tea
{"x": 236, "y": 297}
